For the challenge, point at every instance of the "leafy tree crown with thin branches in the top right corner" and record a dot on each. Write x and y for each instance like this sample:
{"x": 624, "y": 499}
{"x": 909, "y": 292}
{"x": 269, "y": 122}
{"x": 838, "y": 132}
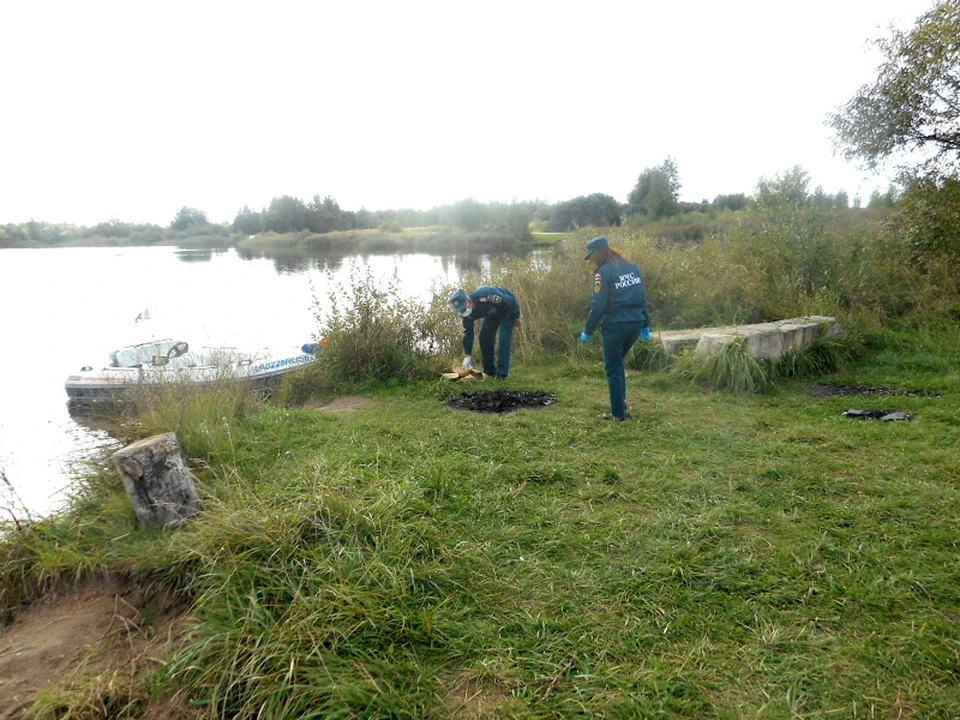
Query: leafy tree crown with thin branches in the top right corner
{"x": 914, "y": 103}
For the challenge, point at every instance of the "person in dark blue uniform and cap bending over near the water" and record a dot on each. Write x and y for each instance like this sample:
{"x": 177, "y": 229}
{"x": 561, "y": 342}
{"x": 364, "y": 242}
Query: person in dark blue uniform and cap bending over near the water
{"x": 499, "y": 310}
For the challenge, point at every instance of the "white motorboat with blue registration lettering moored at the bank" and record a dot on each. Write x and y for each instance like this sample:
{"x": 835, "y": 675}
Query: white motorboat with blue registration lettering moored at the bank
{"x": 154, "y": 363}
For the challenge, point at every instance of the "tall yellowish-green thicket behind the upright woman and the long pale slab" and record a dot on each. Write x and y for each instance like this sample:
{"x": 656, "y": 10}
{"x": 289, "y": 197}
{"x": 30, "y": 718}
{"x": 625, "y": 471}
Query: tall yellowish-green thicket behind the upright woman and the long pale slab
{"x": 750, "y": 267}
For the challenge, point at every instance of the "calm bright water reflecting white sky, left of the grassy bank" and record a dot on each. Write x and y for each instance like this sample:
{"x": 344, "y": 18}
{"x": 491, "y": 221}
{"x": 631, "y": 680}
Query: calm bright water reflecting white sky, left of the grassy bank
{"x": 62, "y": 308}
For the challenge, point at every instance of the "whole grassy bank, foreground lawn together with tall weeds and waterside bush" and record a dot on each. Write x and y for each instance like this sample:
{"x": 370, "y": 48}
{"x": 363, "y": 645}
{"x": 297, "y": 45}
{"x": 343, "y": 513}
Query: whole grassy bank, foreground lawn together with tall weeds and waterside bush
{"x": 721, "y": 555}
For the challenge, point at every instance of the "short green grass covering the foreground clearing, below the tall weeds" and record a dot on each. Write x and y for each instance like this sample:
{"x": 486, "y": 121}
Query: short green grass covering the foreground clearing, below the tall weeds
{"x": 718, "y": 556}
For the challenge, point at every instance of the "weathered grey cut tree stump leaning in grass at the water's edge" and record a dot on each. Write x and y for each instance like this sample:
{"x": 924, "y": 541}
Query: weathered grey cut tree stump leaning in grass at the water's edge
{"x": 155, "y": 474}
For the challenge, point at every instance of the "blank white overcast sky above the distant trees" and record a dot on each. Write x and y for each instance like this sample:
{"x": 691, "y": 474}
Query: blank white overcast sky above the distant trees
{"x": 132, "y": 110}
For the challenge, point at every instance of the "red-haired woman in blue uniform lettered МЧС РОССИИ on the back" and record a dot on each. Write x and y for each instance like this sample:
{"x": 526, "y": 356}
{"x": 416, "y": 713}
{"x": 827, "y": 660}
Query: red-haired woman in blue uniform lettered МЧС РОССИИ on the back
{"x": 619, "y": 307}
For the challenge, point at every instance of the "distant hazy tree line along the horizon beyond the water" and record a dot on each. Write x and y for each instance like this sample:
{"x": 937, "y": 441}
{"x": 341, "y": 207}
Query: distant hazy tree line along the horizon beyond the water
{"x": 655, "y": 197}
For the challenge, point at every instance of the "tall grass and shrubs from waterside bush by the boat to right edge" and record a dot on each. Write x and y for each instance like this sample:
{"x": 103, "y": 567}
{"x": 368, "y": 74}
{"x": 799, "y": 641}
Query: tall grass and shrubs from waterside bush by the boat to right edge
{"x": 751, "y": 267}
